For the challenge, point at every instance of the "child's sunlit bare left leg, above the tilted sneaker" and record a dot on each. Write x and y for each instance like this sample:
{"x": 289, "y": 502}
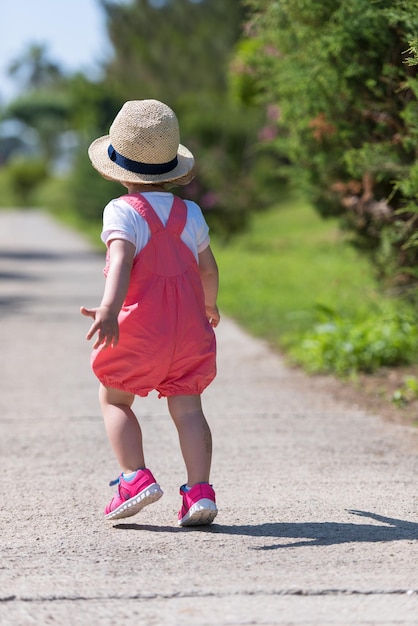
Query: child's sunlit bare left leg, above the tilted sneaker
{"x": 122, "y": 428}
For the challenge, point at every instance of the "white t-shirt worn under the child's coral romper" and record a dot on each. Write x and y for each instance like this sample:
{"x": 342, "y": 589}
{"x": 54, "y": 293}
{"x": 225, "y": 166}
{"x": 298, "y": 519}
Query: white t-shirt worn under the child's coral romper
{"x": 121, "y": 221}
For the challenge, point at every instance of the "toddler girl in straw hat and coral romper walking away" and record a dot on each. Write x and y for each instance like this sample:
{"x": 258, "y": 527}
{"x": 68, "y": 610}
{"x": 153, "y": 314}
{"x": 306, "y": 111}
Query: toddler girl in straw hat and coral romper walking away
{"x": 155, "y": 322}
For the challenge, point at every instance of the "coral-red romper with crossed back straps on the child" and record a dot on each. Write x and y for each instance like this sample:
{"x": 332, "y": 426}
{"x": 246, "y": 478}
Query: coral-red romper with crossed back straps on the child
{"x": 165, "y": 341}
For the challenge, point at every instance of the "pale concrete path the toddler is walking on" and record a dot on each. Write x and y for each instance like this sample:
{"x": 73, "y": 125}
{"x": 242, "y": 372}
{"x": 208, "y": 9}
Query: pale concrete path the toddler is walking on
{"x": 318, "y": 520}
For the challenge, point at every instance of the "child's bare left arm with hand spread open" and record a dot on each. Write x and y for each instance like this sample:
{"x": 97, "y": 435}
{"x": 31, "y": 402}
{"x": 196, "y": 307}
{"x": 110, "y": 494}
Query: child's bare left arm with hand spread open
{"x": 117, "y": 282}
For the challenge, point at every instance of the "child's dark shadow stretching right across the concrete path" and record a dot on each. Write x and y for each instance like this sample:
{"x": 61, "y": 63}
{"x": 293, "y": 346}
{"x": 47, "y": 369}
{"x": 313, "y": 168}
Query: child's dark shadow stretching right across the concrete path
{"x": 309, "y": 533}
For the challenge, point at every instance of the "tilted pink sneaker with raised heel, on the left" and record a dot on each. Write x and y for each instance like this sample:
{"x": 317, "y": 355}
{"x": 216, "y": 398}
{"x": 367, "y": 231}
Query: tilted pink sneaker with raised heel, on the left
{"x": 133, "y": 495}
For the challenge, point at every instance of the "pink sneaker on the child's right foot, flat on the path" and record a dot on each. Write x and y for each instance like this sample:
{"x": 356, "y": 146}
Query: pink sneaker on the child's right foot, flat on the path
{"x": 199, "y": 505}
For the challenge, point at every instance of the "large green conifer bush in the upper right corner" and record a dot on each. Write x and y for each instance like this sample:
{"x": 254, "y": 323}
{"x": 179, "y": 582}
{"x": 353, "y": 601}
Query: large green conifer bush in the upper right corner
{"x": 348, "y": 126}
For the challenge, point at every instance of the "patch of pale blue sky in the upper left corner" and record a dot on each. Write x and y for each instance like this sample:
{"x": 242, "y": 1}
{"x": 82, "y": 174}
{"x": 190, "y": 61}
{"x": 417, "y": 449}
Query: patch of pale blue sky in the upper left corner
{"x": 73, "y": 30}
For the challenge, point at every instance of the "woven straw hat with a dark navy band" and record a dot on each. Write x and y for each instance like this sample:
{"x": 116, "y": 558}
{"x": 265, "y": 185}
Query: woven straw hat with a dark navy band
{"x": 143, "y": 146}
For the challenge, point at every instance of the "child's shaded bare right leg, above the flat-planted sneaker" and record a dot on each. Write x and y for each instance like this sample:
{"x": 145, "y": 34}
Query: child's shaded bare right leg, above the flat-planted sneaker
{"x": 194, "y": 435}
